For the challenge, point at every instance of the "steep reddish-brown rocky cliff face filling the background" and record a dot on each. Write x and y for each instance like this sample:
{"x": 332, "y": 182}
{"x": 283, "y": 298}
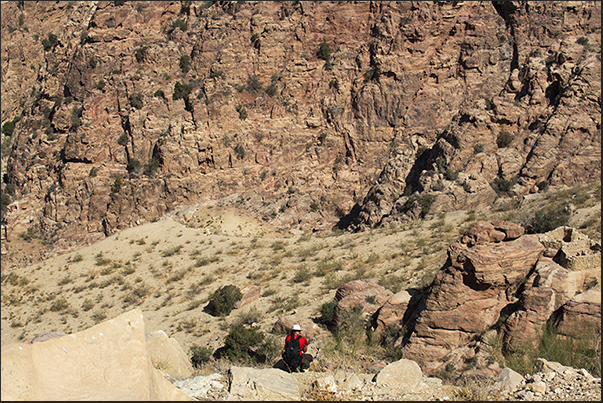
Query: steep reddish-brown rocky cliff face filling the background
{"x": 308, "y": 114}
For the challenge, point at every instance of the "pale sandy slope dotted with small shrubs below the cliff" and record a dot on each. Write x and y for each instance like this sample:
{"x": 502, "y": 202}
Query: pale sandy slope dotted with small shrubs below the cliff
{"x": 172, "y": 290}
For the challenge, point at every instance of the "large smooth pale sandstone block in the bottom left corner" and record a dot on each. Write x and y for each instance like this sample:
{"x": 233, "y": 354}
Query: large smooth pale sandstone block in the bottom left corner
{"x": 108, "y": 361}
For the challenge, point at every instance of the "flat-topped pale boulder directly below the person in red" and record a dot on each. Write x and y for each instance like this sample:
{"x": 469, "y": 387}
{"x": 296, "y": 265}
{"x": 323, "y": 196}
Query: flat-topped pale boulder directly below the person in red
{"x": 262, "y": 384}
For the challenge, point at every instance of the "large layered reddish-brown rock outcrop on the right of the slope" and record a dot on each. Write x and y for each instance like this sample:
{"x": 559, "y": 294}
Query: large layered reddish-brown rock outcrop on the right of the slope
{"x": 497, "y": 278}
